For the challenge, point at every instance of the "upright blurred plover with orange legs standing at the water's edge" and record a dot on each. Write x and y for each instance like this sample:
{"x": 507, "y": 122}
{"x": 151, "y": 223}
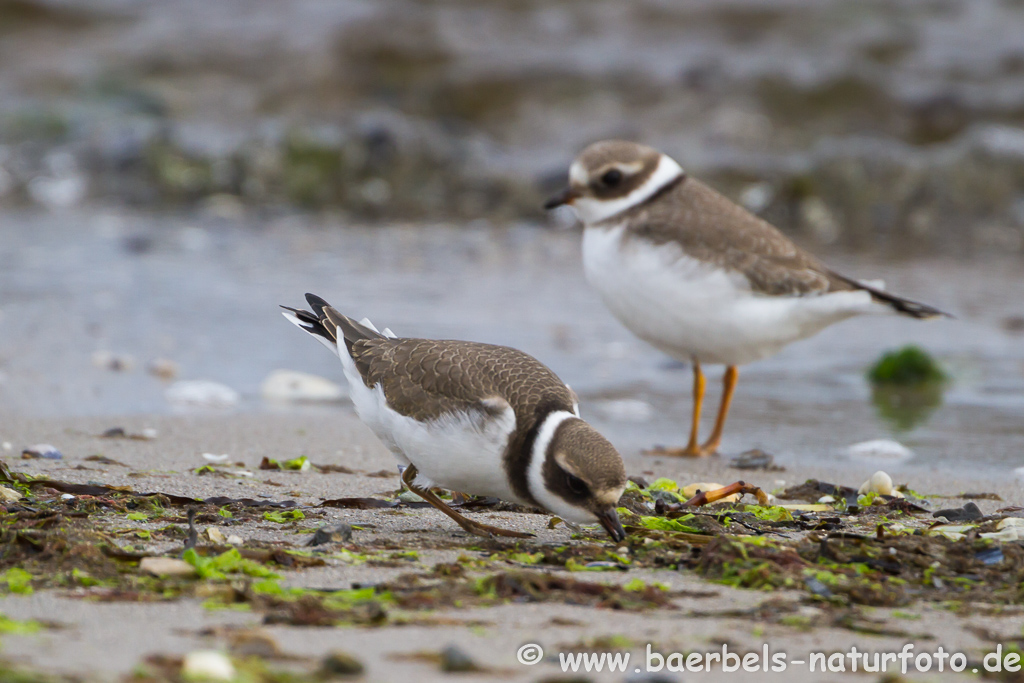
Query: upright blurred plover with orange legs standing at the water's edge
{"x": 699, "y": 277}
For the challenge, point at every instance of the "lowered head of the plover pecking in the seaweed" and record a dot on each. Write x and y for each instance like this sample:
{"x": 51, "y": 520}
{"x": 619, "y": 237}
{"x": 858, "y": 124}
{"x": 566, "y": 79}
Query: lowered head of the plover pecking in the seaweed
{"x": 576, "y": 474}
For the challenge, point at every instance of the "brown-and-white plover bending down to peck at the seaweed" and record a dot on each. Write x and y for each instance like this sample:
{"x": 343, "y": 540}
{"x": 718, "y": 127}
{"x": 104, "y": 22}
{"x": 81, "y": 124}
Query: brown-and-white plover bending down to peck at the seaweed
{"x": 476, "y": 418}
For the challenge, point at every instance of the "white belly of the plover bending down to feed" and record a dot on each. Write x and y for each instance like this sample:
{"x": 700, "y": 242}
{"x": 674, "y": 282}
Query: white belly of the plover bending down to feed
{"x": 461, "y": 452}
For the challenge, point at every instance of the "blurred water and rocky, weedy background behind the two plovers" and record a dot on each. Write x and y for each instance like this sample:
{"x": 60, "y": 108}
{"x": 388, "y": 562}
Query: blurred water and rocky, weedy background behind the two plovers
{"x": 173, "y": 170}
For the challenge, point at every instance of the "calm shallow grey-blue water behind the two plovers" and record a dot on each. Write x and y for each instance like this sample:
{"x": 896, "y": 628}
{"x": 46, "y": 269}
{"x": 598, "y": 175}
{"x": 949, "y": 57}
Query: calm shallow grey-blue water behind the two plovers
{"x": 203, "y": 292}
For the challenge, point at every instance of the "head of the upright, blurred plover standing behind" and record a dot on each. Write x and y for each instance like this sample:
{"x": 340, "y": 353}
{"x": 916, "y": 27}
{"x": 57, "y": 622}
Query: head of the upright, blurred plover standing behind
{"x": 612, "y": 177}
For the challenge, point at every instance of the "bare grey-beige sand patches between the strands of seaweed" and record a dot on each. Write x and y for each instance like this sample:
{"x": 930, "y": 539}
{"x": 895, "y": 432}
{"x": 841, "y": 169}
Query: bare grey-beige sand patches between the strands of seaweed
{"x": 110, "y": 639}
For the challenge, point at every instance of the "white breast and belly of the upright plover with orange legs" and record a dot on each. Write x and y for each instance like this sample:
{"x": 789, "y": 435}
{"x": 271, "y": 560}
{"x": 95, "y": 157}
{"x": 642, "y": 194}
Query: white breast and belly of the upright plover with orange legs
{"x": 691, "y": 310}
